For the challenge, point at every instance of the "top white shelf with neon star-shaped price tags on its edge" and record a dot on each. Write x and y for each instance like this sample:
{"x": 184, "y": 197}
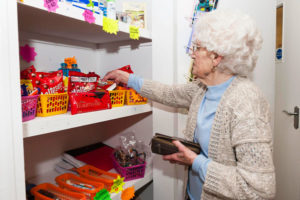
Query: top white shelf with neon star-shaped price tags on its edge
{"x": 68, "y": 22}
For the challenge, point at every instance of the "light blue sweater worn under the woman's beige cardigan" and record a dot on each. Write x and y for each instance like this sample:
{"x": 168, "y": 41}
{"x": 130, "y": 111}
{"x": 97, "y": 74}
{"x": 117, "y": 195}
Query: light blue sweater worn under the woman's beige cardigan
{"x": 205, "y": 119}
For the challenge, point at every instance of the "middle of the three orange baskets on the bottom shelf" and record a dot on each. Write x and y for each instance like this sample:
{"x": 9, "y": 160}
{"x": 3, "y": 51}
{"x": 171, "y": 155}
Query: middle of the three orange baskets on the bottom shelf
{"x": 78, "y": 184}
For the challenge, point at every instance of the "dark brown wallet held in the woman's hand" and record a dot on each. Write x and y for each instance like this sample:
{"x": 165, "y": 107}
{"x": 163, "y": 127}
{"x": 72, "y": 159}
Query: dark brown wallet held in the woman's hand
{"x": 162, "y": 144}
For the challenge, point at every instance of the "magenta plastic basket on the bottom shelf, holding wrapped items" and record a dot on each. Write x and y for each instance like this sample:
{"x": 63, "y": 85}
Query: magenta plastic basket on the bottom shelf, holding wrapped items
{"x": 129, "y": 173}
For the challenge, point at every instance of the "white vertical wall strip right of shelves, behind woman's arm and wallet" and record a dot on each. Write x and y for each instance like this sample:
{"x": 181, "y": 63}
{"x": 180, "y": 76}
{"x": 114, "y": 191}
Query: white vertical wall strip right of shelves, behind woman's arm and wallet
{"x": 164, "y": 70}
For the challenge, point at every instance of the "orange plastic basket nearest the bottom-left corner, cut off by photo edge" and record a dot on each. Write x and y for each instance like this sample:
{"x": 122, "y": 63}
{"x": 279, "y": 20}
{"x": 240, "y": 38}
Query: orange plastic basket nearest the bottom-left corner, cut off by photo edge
{"x": 47, "y": 191}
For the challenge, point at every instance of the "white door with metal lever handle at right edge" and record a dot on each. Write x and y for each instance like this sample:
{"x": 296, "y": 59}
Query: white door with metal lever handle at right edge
{"x": 287, "y": 138}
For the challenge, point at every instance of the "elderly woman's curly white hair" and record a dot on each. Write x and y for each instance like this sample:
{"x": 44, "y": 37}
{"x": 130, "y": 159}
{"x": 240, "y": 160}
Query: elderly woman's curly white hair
{"x": 232, "y": 35}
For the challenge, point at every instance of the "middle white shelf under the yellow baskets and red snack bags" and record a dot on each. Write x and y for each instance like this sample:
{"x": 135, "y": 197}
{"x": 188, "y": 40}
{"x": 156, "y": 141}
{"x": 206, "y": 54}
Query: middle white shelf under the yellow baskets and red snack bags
{"x": 43, "y": 125}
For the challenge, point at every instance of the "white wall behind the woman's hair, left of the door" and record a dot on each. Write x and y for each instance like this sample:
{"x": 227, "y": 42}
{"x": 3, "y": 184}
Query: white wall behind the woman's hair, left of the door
{"x": 264, "y": 13}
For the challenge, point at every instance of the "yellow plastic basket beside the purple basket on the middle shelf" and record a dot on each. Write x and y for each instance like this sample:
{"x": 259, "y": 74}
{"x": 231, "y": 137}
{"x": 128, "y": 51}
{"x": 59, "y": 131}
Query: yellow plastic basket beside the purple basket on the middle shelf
{"x": 52, "y": 104}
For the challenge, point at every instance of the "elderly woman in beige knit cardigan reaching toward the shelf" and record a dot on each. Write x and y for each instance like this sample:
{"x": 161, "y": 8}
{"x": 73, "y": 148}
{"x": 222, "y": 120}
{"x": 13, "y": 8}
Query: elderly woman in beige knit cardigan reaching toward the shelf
{"x": 228, "y": 115}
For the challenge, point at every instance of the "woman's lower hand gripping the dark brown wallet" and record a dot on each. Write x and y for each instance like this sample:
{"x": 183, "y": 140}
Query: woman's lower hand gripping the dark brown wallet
{"x": 185, "y": 156}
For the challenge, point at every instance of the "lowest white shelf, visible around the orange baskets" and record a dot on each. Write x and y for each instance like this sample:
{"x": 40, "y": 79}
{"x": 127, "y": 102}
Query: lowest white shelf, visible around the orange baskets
{"x": 49, "y": 177}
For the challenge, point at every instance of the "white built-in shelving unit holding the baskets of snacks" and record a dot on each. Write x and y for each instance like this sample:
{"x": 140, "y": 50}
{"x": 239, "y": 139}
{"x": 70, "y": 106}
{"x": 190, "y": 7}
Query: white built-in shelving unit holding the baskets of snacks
{"x": 64, "y": 32}
